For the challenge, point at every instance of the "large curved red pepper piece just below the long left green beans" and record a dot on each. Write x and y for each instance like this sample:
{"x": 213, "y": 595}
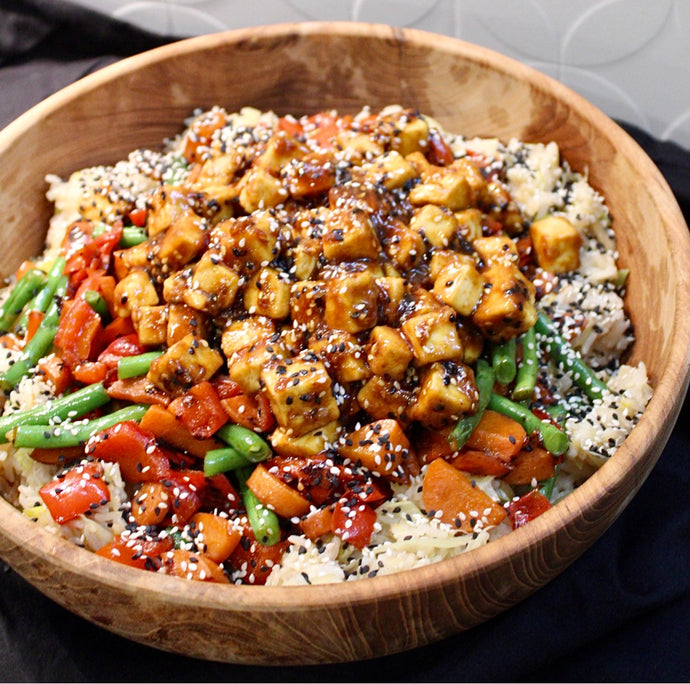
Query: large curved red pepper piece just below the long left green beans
{"x": 137, "y": 452}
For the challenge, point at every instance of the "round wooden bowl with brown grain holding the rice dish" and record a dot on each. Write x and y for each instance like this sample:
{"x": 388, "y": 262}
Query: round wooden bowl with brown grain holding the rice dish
{"x": 303, "y": 68}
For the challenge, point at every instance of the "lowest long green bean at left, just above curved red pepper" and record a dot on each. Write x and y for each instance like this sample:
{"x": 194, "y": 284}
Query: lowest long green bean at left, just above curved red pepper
{"x": 63, "y": 436}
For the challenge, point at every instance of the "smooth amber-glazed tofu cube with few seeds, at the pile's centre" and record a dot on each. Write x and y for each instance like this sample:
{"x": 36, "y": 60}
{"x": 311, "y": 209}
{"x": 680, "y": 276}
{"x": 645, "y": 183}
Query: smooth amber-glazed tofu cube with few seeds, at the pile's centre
{"x": 351, "y": 302}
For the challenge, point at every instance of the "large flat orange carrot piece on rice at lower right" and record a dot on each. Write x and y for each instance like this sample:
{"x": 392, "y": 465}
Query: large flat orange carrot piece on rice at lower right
{"x": 460, "y": 502}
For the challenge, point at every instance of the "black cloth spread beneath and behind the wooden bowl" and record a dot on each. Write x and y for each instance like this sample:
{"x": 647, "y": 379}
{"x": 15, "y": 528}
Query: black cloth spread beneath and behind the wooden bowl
{"x": 619, "y": 613}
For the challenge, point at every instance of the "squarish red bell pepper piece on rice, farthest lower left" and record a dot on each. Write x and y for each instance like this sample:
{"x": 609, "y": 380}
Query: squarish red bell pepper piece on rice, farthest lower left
{"x": 75, "y": 492}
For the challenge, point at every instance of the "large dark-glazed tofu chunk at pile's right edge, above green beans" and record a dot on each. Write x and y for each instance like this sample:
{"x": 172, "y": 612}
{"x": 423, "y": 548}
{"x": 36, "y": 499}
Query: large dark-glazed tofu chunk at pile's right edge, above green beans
{"x": 507, "y": 307}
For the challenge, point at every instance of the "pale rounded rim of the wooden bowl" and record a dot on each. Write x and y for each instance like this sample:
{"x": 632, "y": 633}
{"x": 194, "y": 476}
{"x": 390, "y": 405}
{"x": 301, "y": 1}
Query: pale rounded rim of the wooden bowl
{"x": 667, "y": 399}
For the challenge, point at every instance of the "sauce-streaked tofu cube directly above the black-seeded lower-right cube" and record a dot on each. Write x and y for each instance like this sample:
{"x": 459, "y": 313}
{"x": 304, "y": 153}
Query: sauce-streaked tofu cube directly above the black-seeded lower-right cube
{"x": 433, "y": 336}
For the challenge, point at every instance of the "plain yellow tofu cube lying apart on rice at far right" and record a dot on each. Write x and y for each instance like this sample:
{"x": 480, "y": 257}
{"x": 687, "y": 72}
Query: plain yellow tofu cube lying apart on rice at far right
{"x": 556, "y": 244}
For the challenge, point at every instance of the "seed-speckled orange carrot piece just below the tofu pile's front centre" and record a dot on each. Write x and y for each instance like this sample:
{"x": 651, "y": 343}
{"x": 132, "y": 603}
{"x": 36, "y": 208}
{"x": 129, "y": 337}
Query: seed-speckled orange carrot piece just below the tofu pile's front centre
{"x": 382, "y": 447}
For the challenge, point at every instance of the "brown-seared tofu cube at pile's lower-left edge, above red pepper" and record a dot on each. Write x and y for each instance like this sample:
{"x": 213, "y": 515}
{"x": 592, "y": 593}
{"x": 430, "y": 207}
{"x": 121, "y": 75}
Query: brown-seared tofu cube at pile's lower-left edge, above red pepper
{"x": 184, "y": 364}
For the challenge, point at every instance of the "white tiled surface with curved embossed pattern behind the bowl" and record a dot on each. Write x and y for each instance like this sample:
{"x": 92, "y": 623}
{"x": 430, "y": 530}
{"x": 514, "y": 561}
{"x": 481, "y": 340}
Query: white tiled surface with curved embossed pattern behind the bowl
{"x": 631, "y": 58}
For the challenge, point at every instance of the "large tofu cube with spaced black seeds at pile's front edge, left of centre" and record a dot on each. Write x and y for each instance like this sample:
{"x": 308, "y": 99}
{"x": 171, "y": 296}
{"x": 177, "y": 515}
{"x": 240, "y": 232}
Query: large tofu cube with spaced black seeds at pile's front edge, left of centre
{"x": 300, "y": 393}
